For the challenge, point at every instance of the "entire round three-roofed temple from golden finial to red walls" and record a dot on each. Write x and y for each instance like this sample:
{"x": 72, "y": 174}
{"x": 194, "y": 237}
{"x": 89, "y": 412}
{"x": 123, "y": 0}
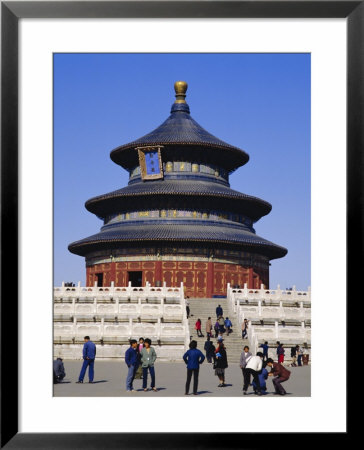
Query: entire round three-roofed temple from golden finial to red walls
{"x": 178, "y": 219}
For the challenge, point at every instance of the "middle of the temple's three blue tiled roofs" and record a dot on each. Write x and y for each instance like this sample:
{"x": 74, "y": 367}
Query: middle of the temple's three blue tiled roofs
{"x": 181, "y": 187}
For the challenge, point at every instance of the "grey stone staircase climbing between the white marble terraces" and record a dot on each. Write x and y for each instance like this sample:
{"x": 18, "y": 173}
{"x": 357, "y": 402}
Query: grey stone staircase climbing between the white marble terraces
{"x": 202, "y": 308}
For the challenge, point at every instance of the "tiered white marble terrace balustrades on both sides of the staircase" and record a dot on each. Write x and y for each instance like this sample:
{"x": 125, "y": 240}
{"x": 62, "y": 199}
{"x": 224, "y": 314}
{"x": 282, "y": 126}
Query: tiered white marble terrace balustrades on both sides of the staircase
{"x": 113, "y": 315}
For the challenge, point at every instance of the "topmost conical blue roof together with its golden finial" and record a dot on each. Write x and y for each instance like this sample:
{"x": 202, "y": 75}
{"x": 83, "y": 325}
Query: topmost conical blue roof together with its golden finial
{"x": 181, "y": 129}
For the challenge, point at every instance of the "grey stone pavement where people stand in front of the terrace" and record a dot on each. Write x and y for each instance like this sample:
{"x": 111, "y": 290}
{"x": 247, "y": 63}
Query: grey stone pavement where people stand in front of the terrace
{"x": 110, "y": 377}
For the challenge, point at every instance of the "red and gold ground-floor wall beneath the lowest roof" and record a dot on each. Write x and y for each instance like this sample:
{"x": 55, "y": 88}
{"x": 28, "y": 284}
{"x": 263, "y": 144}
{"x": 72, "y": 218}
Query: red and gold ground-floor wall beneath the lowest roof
{"x": 200, "y": 279}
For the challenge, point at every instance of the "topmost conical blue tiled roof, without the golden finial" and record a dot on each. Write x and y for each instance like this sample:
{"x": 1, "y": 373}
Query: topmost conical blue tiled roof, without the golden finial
{"x": 180, "y": 128}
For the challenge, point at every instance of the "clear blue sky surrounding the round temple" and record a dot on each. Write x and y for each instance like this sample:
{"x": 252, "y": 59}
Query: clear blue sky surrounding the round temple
{"x": 257, "y": 102}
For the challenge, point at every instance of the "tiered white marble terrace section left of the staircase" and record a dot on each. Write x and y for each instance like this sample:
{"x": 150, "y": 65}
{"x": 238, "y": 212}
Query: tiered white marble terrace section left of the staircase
{"x": 113, "y": 315}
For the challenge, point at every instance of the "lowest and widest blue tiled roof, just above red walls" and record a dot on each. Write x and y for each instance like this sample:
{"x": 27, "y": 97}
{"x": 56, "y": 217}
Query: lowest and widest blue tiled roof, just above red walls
{"x": 178, "y": 232}
